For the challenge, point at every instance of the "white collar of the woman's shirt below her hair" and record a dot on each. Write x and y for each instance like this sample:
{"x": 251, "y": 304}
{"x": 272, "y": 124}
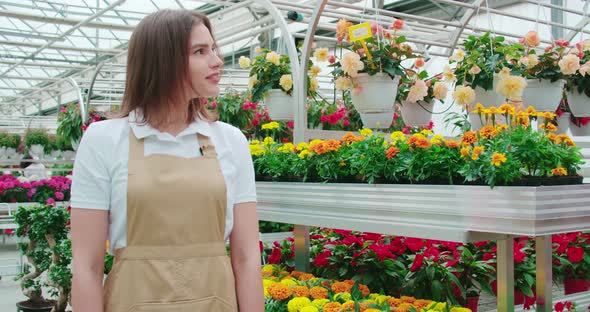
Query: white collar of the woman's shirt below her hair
{"x": 145, "y": 130}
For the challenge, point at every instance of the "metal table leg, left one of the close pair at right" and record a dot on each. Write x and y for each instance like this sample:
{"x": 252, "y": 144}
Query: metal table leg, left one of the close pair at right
{"x": 505, "y": 274}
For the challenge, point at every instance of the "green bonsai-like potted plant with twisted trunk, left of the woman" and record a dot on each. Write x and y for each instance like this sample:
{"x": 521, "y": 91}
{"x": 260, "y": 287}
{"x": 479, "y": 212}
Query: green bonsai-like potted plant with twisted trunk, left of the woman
{"x": 47, "y": 249}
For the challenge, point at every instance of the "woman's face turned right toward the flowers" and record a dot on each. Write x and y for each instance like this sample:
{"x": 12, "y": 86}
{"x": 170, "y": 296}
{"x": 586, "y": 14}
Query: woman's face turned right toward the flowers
{"x": 204, "y": 64}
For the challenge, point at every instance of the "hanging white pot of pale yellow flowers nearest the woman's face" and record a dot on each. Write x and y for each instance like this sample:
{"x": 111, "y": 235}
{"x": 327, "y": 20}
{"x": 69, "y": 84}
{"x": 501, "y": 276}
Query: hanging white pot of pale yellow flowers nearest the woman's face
{"x": 271, "y": 80}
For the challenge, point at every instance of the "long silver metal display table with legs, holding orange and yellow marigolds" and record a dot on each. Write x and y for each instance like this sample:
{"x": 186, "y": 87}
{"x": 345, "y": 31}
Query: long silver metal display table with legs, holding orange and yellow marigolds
{"x": 442, "y": 212}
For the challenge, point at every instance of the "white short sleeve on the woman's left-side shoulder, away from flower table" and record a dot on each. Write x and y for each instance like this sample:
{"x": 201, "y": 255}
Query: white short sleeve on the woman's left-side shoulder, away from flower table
{"x": 91, "y": 179}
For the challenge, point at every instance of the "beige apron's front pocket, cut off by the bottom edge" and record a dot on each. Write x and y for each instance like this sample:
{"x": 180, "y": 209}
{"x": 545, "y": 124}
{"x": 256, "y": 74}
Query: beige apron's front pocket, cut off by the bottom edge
{"x": 206, "y": 304}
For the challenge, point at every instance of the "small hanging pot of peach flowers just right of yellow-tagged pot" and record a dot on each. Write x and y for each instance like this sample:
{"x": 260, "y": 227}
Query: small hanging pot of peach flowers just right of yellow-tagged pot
{"x": 417, "y": 93}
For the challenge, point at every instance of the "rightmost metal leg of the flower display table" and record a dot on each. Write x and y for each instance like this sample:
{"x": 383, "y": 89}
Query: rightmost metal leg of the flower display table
{"x": 544, "y": 273}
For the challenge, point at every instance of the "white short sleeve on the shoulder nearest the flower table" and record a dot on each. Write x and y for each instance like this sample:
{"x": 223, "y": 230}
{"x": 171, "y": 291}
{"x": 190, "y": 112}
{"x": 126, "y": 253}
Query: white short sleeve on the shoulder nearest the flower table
{"x": 245, "y": 185}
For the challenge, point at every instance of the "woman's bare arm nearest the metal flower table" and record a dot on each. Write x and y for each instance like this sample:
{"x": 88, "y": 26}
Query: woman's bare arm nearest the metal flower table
{"x": 245, "y": 258}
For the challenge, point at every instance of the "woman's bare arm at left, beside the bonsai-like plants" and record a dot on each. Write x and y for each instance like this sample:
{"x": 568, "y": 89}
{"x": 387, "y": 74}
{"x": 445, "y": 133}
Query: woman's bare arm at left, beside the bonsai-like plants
{"x": 89, "y": 235}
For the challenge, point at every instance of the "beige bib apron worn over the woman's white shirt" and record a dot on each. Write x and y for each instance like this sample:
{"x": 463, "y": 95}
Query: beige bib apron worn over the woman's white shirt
{"x": 175, "y": 259}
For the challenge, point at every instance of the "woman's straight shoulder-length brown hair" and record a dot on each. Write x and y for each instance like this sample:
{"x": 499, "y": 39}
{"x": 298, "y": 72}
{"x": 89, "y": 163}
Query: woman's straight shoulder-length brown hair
{"x": 157, "y": 67}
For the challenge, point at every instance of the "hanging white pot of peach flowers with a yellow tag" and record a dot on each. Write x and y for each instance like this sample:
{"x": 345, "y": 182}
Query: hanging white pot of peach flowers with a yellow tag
{"x": 371, "y": 71}
